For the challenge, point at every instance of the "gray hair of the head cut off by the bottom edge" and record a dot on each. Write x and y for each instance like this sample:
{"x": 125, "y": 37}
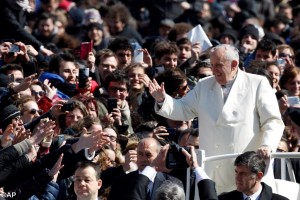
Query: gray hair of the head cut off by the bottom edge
{"x": 169, "y": 191}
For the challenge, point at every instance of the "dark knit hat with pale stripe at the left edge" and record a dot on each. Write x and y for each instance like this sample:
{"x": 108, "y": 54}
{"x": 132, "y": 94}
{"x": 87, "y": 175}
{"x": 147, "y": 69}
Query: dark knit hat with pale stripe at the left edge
{"x": 7, "y": 115}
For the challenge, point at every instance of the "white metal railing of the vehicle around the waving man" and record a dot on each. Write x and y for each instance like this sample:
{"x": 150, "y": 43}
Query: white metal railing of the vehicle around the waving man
{"x": 285, "y": 164}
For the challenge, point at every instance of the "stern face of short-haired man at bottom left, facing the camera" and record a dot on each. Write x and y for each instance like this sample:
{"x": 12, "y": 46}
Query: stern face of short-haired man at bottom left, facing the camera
{"x": 86, "y": 184}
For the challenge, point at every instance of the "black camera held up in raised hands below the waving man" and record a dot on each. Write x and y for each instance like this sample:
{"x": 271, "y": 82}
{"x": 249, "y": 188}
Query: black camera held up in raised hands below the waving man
{"x": 175, "y": 158}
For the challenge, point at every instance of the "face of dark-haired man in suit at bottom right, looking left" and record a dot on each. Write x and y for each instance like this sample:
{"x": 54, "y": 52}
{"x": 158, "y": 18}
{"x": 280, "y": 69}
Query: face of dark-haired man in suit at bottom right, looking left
{"x": 245, "y": 180}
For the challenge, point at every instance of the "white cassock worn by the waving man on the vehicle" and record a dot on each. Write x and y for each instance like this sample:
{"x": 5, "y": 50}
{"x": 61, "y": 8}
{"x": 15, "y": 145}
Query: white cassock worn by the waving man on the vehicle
{"x": 249, "y": 119}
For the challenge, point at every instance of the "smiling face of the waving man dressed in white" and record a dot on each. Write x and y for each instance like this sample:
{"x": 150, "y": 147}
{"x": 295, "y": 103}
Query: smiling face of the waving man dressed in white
{"x": 223, "y": 69}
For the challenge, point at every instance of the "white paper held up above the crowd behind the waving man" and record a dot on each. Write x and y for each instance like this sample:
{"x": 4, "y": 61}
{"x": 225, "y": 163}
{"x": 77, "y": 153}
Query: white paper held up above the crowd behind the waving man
{"x": 197, "y": 34}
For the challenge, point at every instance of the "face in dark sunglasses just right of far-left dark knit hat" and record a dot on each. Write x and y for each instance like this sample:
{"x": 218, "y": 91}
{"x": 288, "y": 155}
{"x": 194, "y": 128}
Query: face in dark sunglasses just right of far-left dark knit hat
{"x": 30, "y": 111}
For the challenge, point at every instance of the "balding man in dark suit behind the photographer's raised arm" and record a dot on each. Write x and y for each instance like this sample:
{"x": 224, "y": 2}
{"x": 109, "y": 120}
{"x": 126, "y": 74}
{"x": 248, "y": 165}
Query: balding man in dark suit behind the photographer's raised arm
{"x": 123, "y": 186}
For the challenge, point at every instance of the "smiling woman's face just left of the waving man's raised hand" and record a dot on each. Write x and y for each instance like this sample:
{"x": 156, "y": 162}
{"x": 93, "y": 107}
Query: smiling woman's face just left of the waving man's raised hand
{"x": 135, "y": 76}
